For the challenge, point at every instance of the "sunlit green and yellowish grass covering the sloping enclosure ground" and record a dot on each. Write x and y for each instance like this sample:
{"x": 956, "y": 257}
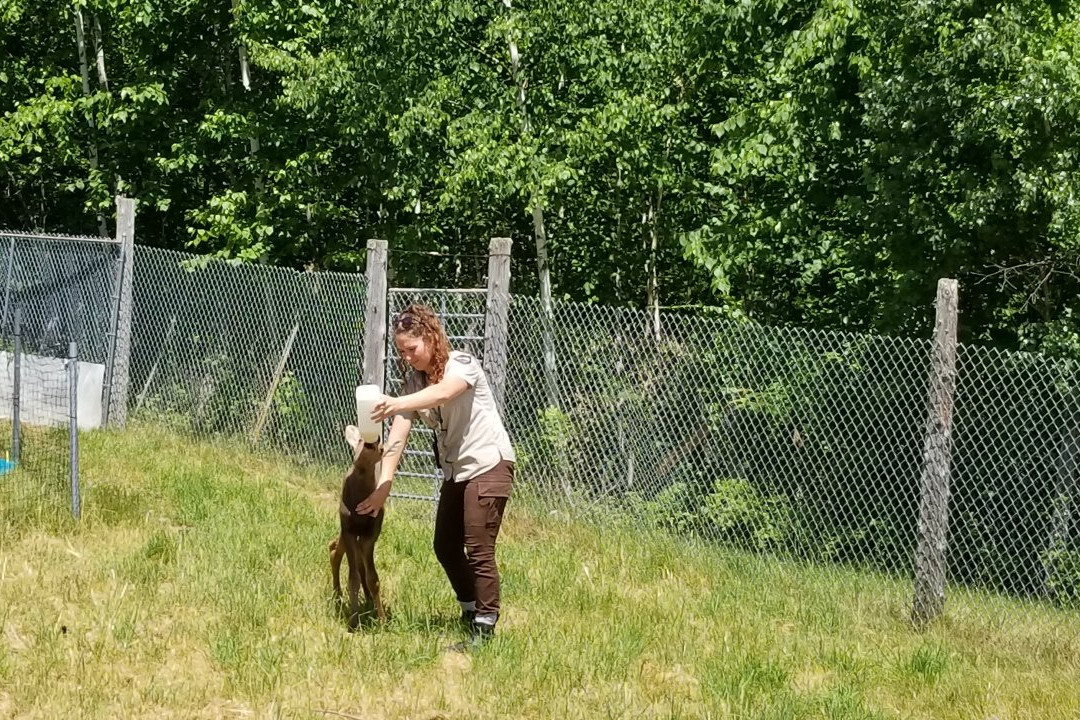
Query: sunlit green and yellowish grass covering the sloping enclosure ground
{"x": 197, "y": 587}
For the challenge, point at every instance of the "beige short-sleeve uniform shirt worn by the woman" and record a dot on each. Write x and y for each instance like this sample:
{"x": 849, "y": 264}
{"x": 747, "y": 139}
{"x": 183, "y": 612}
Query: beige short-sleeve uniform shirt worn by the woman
{"x": 472, "y": 439}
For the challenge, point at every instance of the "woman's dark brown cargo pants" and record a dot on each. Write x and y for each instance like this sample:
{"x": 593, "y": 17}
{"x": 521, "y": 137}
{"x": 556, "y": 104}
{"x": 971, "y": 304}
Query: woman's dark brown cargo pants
{"x": 467, "y": 524}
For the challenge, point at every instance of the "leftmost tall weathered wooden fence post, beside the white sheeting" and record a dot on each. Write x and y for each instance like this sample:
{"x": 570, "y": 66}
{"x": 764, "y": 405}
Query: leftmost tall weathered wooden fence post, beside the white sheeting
{"x": 115, "y": 405}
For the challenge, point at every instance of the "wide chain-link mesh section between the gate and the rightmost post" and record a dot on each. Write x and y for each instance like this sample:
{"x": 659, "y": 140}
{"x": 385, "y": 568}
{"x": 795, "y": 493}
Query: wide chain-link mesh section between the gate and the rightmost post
{"x": 781, "y": 441}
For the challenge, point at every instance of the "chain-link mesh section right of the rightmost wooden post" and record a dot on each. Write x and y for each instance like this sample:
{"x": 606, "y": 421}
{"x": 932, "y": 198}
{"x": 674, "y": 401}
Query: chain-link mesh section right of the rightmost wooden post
{"x": 1014, "y": 520}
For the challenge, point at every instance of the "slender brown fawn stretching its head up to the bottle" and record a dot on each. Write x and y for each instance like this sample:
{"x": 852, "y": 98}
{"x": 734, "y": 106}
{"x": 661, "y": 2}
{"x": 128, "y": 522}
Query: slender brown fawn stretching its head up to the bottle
{"x": 359, "y": 533}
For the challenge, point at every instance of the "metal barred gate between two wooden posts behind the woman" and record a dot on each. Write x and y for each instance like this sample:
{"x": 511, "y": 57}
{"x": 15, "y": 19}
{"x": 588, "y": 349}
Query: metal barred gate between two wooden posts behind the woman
{"x": 463, "y": 313}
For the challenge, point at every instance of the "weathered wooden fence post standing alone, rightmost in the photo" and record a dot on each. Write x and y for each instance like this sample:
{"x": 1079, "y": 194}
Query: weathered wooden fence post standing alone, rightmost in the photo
{"x": 931, "y": 556}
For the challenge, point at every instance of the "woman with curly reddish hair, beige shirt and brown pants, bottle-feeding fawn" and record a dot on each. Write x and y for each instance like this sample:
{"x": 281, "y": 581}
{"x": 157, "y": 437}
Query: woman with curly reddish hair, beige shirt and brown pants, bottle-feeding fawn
{"x": 449, "y": 391}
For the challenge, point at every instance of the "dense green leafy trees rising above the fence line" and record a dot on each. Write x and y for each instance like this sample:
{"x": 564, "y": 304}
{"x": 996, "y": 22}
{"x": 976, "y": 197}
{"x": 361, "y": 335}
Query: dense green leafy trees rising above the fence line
{"x": 816, "y": 162}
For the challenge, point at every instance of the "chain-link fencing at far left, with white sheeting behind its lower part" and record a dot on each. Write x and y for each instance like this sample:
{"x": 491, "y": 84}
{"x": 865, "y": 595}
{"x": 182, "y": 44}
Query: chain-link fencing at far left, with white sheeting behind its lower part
{"x": 55, "y": 339}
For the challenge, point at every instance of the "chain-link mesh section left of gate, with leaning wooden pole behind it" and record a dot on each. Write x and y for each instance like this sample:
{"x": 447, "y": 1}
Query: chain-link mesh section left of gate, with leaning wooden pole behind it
{"x": 258, "y": 354}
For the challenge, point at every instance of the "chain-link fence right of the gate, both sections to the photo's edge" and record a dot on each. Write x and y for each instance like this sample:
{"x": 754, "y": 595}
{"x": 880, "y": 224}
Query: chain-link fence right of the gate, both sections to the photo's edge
{"x": 802, "y": 444}
